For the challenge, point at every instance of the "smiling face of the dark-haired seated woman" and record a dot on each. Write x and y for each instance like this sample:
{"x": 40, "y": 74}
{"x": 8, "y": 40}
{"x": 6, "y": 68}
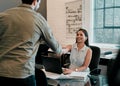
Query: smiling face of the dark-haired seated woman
{"x": 80, "y": 37}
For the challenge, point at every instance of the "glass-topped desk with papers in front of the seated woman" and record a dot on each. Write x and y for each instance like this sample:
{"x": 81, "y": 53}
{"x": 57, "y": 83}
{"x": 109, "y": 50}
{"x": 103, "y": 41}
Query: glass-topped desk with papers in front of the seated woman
{"x": 64, "y": 80}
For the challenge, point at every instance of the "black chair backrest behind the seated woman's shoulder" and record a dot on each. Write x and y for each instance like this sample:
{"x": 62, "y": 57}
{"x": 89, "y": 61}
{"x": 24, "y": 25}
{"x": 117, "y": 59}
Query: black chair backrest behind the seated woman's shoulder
{"x": 95, "y": 57}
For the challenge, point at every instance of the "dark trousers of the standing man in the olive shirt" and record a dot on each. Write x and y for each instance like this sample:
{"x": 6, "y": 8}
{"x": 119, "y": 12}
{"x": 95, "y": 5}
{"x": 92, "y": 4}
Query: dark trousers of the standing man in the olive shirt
{"x": 29, "y": 81}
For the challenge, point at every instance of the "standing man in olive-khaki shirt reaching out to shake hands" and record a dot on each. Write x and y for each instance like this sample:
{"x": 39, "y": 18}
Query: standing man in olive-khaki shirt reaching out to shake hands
{"x": 21, "y": 29}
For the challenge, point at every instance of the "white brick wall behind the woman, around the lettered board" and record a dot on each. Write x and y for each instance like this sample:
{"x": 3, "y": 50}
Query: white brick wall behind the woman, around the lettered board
{"x": 57, "y": 19}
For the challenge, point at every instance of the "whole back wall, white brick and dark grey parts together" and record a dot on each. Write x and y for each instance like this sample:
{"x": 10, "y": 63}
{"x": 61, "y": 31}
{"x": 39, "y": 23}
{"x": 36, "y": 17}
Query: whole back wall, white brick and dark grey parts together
{"x": 56, "y": 16}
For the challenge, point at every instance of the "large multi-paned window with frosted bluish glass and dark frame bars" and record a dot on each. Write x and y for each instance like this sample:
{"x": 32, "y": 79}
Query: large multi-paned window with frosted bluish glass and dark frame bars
{"x": 106, "y": 21}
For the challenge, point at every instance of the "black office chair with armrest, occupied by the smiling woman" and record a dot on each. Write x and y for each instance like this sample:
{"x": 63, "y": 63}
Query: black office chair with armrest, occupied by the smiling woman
{"x": 94, "y": 71}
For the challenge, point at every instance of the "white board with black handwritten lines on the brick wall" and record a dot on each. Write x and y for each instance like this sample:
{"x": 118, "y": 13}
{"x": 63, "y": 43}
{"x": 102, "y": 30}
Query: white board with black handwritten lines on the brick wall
{"x": 73, "y": 17}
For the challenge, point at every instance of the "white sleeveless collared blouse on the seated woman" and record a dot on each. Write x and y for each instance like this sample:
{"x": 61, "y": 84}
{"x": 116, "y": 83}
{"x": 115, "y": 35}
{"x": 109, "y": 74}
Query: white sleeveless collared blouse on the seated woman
{"x": 77, "y": 57}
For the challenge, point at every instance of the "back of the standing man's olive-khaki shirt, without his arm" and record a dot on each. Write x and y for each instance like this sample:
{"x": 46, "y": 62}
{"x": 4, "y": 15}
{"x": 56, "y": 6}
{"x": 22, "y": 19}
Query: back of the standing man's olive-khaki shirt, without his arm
{"x": 19, "y": 38}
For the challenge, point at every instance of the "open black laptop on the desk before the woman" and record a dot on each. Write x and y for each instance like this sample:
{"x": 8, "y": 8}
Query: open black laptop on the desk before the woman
{"x": 52, "y": 64}
